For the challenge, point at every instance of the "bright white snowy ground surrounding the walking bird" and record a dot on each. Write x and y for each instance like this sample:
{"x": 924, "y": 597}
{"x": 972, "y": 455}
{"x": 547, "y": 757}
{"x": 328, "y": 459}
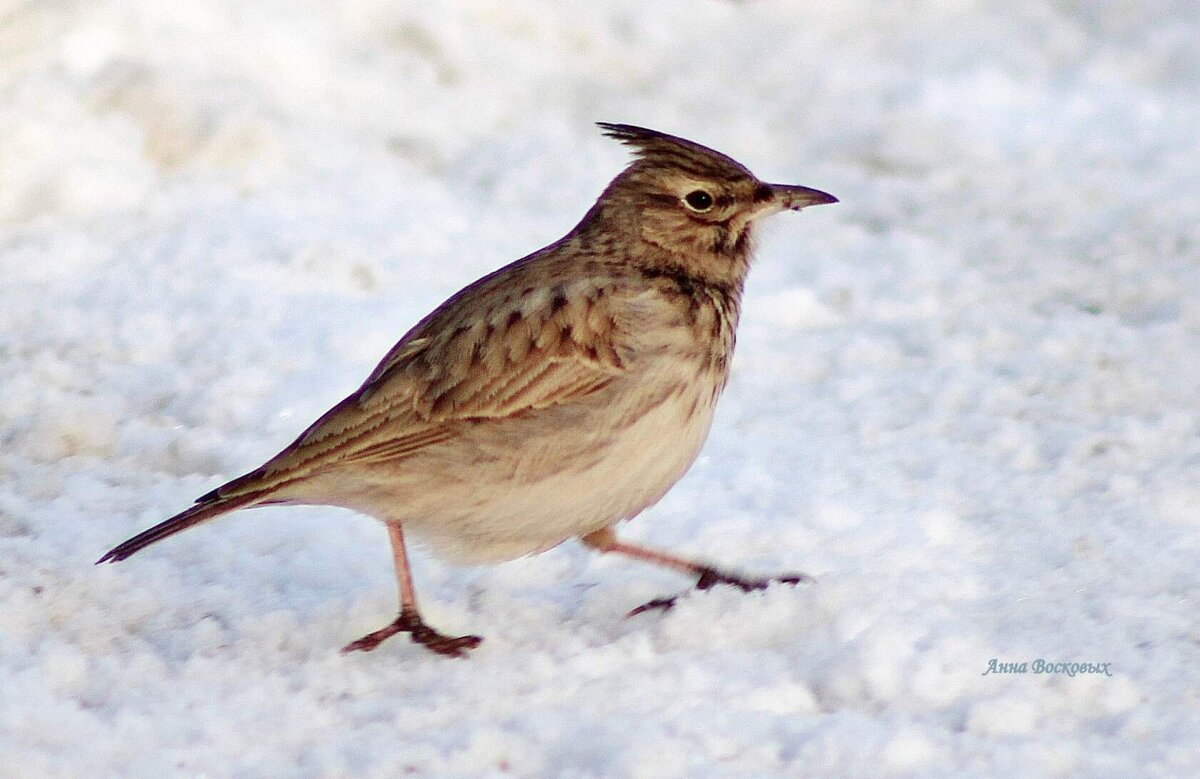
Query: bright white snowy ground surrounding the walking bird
{"x": 965, "y": 398}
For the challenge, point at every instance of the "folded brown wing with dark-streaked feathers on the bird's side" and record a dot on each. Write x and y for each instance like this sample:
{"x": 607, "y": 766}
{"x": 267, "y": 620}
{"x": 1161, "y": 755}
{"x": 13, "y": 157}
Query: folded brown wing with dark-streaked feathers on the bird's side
{"x": 465, "y": 365}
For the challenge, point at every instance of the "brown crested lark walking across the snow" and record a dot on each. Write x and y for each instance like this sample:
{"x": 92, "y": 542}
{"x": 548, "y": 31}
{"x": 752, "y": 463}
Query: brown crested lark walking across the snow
{"x": 550, "y": 400}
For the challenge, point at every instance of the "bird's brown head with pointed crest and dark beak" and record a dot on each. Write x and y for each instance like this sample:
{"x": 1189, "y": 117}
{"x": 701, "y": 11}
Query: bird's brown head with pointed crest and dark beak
{"x": 693, "y": 202}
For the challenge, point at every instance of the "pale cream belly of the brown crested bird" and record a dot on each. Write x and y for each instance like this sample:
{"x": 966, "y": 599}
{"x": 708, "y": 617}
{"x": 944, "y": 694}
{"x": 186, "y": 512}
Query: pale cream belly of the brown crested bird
{"x": 511, "y": 489}
